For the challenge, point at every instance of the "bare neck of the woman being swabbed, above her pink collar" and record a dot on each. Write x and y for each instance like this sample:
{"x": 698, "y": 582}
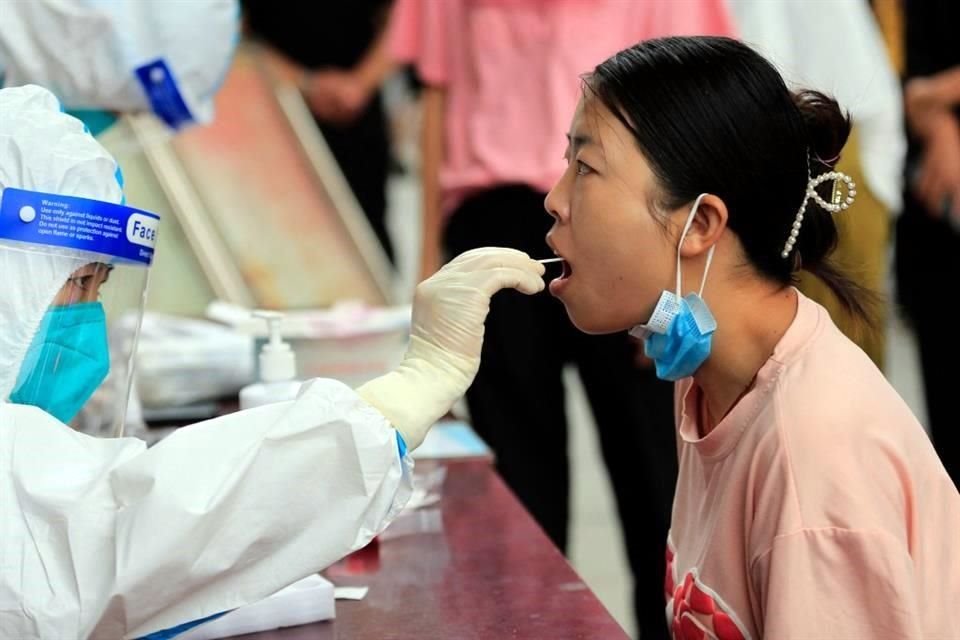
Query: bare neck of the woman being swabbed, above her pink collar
{"x": 751, "y": 320}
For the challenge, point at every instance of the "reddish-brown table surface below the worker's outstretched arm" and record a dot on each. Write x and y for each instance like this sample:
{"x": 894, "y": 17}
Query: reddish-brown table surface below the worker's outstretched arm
{"x": 476, "y": 567}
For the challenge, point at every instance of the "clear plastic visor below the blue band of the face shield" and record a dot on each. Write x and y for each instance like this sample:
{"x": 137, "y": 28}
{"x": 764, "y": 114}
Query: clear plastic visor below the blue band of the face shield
{"x": 77, "y": 365}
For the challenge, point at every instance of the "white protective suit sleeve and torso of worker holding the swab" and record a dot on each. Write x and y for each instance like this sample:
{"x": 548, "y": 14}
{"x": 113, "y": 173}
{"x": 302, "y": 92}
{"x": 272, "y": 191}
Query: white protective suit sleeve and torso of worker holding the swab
{"x": 109, "y": 540}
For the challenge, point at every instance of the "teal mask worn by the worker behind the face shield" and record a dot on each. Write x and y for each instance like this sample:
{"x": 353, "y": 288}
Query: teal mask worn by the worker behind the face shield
{"x": 66, "y": 362}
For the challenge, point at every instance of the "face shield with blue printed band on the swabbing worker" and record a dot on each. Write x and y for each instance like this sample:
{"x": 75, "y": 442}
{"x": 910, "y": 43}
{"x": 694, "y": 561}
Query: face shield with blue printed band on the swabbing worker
{"x": 83, "y": 267}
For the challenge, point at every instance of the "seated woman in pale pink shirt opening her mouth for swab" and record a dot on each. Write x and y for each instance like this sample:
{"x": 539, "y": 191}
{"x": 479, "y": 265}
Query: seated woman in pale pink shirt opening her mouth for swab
{"x": 810, "y": 502}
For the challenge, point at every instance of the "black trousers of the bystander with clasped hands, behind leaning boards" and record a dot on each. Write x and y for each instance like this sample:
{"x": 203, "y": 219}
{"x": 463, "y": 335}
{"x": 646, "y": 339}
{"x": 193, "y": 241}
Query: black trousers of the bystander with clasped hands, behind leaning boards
{"x": 362, "y": 149}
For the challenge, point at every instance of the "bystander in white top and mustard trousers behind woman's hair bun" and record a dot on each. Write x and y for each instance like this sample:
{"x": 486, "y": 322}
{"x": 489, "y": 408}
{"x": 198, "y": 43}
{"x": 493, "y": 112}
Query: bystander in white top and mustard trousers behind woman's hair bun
{"x": 856, "y": 70}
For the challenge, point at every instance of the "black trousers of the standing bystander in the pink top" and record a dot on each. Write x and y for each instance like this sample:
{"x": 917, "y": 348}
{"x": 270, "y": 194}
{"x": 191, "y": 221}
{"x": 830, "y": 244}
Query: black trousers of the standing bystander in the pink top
{"x": 517, "y": 401}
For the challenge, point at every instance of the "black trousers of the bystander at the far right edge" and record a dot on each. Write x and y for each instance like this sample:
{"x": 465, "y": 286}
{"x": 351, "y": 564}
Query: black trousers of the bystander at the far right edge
{"x": 928, "y": 270}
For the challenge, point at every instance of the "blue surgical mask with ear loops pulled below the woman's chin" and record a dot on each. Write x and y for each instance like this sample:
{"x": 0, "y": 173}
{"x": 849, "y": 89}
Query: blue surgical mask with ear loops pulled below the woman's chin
{"x": 679, "y": 334}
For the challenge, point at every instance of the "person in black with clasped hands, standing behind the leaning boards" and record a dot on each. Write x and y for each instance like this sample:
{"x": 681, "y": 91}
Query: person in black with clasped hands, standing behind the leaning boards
{"x": 342, "y": 47}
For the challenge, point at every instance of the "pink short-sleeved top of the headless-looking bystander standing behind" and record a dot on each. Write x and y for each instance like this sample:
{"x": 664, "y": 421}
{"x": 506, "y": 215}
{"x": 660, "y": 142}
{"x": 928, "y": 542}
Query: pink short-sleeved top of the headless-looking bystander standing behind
{"x": 511, "y": 70}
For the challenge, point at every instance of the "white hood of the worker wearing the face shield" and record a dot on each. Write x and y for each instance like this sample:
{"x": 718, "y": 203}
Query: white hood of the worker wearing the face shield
{"x": 42, "y": 149}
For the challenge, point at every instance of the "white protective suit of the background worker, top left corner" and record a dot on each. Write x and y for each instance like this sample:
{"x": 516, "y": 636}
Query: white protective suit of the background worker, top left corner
{"x": 87, "y": 51}
